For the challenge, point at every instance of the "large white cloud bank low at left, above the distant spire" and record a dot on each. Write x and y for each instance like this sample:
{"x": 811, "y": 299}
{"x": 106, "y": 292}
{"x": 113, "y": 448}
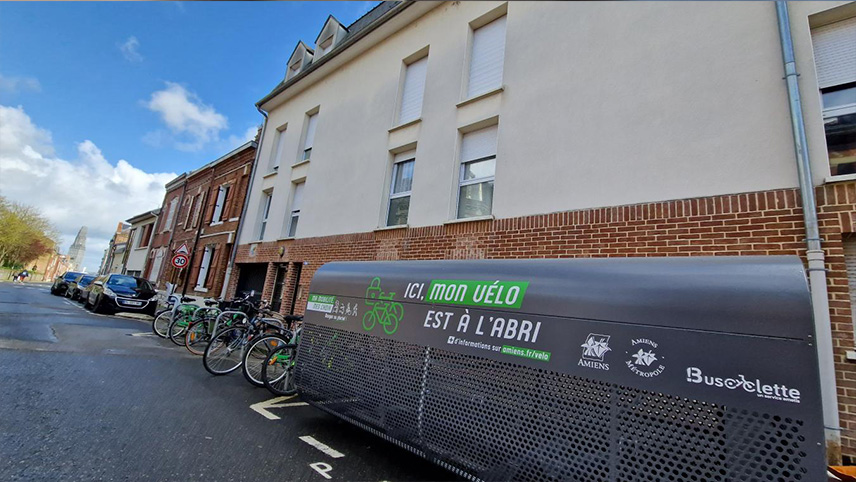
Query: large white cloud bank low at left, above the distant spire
{"x": 87, "y": 191}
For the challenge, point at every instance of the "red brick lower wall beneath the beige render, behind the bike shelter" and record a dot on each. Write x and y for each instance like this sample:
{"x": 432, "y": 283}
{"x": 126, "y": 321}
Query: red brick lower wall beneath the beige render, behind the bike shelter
{"x": 757, "y": 223}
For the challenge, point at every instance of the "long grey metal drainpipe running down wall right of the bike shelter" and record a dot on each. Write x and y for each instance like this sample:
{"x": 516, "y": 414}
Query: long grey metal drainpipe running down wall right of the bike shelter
{"x": 814, "y": 252}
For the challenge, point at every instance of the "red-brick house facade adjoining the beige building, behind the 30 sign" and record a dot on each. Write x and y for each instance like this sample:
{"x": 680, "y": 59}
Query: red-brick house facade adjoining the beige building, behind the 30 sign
{"x": 206, "y": 220}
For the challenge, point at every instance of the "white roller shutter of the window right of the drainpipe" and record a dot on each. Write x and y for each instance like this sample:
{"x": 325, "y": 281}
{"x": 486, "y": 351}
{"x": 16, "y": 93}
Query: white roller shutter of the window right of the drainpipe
{"x": 835, "y": 53}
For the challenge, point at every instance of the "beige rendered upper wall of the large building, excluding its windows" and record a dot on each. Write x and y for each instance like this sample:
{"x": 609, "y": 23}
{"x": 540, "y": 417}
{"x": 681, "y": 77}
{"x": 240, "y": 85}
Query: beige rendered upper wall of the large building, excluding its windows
{"x": 603, "y": 104}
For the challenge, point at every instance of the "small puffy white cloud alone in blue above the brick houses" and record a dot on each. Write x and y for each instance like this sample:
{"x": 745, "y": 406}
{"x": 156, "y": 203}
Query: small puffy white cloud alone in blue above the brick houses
{"x": 192, "y": 123}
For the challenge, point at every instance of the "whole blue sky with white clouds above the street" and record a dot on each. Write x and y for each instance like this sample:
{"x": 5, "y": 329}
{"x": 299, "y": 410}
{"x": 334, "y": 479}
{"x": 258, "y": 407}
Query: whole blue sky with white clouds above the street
{"x": 101, "y": 104}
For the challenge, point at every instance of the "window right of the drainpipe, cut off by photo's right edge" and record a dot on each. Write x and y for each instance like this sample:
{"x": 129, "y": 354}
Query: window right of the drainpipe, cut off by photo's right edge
{"x": 835, "y": 61}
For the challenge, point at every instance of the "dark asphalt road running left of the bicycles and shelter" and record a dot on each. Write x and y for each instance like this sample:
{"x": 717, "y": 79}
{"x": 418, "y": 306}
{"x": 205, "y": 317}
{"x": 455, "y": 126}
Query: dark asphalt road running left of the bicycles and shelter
{"x": 94, "y": 397}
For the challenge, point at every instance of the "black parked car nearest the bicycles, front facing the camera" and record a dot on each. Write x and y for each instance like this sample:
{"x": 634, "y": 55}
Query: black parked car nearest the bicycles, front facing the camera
{"x": 110, "y": 293}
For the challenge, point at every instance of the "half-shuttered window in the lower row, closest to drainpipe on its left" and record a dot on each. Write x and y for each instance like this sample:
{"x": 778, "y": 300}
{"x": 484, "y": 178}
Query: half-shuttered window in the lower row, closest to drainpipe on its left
{"x": 478, "y": 165}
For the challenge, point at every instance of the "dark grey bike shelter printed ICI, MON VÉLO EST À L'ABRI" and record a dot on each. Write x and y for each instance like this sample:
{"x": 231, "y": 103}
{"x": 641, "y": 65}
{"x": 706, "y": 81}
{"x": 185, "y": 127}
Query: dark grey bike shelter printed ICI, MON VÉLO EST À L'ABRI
{"x": 658, "y": 369}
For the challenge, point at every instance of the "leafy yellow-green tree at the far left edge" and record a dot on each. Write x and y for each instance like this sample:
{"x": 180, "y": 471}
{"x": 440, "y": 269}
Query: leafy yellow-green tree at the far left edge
{"x": 24, "y": 234}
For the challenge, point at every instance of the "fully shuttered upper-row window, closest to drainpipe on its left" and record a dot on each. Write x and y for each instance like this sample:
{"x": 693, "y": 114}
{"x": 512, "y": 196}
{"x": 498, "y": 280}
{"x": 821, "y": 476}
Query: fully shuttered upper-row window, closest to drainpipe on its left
{"x": 486, "y": 58}
